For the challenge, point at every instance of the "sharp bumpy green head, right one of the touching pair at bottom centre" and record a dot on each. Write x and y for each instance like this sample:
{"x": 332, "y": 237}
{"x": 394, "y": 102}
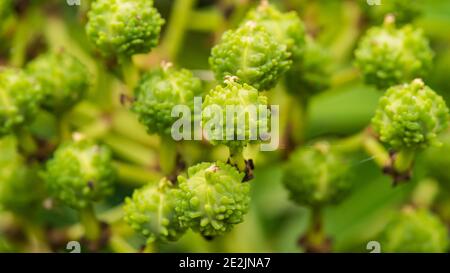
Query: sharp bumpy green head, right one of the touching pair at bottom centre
{"x": 213, "y": 198}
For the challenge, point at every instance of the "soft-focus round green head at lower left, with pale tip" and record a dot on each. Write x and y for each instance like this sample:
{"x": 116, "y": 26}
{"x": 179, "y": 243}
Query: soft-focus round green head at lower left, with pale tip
{"x": 80, "y": 173}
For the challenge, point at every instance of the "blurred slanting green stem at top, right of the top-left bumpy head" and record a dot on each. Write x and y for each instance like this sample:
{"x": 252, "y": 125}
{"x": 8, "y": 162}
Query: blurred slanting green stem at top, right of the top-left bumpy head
{"x": 179, "y": 17}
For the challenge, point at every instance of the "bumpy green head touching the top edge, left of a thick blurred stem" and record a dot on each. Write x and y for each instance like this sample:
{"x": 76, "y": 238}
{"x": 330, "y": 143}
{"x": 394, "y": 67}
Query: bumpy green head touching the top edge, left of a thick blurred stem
{"x": 124, "y": 27}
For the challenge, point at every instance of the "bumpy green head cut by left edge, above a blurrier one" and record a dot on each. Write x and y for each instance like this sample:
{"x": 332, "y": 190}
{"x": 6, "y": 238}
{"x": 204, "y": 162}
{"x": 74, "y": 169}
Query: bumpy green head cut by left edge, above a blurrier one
{"x": 20, "y": 97}
